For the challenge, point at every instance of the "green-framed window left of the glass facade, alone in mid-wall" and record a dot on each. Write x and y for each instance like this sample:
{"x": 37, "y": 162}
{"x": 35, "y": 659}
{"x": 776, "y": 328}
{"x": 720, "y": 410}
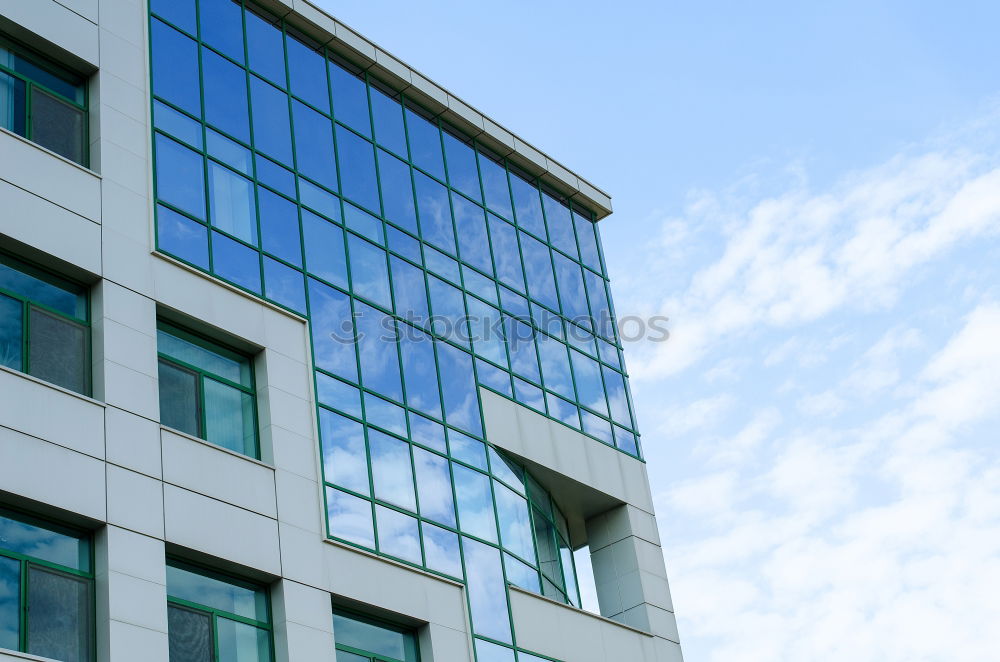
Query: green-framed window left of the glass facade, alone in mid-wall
{"x": 207, "y": 390}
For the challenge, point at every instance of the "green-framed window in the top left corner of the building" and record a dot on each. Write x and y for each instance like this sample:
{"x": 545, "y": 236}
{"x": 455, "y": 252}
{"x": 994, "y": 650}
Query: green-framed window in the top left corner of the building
{"x": 38, "y": 97}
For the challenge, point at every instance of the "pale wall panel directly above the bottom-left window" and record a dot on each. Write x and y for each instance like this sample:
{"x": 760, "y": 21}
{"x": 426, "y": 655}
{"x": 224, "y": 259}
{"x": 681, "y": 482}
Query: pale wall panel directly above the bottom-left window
{"x": 52, "y": 474}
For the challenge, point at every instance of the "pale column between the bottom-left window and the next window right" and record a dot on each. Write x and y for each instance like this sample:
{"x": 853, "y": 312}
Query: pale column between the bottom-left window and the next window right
{"x": 131, "y": 597}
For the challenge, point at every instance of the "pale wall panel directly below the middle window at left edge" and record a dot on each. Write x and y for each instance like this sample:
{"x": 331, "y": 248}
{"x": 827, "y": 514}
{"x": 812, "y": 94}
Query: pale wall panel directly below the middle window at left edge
{"x": 28, "y": 405}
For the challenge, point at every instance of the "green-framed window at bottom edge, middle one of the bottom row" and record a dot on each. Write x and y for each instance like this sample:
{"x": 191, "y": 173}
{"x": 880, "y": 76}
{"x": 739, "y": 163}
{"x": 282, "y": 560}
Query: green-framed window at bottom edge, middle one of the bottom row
{"x": 215, "y": 618}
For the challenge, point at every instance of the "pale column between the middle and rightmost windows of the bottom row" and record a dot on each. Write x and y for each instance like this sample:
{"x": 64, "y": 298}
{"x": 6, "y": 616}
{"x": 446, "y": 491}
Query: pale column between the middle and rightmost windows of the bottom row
{"x": 303, "y": 623}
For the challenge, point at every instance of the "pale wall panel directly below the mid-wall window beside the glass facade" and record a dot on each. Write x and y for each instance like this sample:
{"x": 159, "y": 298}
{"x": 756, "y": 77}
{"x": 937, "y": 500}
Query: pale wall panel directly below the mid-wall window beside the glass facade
{"x": 210, "y": 470}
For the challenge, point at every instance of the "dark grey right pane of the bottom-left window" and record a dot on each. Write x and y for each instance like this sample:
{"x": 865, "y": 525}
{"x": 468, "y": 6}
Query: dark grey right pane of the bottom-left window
{"x": 61, "y": 621}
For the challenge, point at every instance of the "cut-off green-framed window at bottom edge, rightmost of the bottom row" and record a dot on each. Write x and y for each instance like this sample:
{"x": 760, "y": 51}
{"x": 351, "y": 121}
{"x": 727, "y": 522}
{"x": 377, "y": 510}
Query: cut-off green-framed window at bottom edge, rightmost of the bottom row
{"x": 369, "y": 639}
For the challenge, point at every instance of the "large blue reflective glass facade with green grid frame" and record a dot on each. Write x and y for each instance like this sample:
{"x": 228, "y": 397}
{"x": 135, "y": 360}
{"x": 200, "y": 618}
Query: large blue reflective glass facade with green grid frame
{"x": 426, "y": 268}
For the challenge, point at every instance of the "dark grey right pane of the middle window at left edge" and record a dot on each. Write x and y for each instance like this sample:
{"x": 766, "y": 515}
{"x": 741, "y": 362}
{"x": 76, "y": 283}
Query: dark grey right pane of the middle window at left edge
{"x": 57, "y": 351}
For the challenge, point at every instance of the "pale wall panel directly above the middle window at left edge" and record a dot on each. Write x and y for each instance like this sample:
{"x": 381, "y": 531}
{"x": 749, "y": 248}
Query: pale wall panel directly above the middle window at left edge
{"x": 48, "y": 227}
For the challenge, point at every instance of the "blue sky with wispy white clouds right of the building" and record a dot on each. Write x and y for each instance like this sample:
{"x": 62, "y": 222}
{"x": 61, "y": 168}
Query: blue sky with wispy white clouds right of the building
{"x": 811, "y": 192}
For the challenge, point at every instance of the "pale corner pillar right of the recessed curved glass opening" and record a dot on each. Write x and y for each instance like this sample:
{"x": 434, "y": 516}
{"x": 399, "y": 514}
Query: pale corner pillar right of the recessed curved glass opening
{"x": 630, "y": 575}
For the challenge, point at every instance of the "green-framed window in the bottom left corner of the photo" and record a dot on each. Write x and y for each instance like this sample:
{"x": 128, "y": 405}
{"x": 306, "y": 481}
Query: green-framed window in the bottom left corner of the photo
{"x": 44, "y": 569}
